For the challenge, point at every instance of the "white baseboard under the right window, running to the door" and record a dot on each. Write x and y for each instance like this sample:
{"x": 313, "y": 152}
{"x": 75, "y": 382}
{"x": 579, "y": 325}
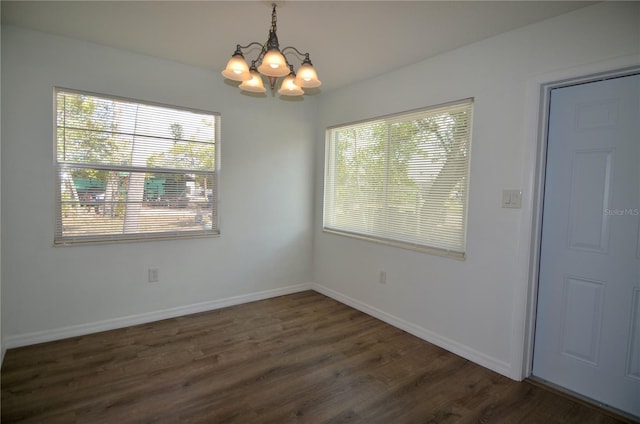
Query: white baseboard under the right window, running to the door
{"x": 466, "y": 352}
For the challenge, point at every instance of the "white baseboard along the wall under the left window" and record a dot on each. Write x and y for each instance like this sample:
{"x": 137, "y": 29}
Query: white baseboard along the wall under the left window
{"x": 112, "y": 324}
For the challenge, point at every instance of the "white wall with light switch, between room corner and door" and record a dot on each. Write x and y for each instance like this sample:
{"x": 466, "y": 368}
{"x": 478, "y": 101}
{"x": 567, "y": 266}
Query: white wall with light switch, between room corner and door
{"x": 468, "y": 306}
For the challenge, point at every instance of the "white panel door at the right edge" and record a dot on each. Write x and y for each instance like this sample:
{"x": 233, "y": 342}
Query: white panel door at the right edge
{"x": 587, "y": 335}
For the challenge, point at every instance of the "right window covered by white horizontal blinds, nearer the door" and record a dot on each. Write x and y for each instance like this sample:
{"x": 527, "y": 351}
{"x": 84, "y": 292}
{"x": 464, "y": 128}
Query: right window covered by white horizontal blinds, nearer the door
{"x": 402, "y": 179}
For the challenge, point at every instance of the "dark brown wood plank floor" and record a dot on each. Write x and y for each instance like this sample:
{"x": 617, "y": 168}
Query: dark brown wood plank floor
{"x": 301, "y": 358}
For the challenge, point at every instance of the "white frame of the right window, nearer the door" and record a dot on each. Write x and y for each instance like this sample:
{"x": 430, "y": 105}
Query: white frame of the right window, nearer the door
{"x": 330, "y": 155}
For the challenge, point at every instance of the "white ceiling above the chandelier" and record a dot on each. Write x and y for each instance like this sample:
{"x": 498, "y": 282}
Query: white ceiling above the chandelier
{"x": 348, "y": 40}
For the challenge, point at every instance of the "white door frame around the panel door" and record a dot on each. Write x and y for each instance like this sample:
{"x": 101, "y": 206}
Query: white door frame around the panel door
{"x": 538, "y": 98}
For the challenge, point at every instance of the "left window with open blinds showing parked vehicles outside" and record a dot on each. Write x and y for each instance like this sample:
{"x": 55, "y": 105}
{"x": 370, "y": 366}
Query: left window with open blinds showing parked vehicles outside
{"x": 128, "y": 170}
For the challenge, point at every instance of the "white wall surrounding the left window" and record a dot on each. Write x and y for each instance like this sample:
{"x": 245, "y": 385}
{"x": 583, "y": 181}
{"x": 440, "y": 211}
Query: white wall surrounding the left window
{"x": 265, "y": 204}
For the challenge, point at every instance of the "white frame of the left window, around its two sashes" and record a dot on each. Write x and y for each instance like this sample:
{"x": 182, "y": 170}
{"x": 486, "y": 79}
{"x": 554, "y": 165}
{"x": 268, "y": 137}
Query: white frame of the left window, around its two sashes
{"x": 138, "y": 236}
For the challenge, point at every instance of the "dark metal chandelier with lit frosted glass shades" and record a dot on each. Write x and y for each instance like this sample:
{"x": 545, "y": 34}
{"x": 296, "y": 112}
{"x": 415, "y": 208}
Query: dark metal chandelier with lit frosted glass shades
{"x": 273, "y": 64}
